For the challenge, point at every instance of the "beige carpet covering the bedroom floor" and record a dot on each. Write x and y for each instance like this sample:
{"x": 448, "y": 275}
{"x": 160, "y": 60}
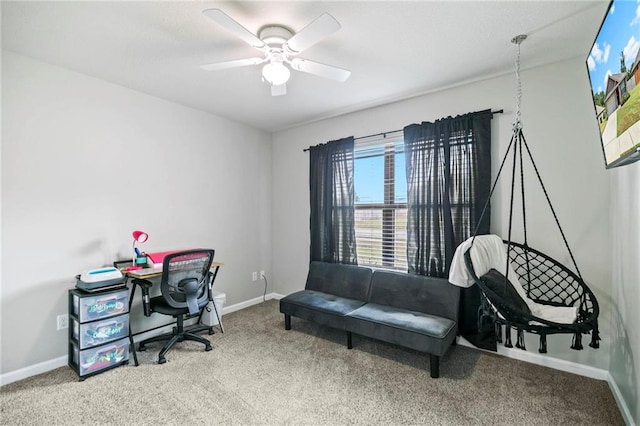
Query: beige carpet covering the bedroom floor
{"x": 258, "y": 373}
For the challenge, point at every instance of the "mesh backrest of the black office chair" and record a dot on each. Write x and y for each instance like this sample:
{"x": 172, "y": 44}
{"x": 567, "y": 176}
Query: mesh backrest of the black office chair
{"x": 185, "y": 279}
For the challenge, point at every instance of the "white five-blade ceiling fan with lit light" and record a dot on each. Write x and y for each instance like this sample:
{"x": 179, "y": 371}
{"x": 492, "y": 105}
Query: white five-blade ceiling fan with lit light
{"x": 280, "y": 46}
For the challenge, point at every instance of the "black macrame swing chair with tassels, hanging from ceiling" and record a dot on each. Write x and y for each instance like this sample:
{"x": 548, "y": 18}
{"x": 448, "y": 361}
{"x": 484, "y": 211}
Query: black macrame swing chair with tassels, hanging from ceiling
{"x": 544, "y": 280}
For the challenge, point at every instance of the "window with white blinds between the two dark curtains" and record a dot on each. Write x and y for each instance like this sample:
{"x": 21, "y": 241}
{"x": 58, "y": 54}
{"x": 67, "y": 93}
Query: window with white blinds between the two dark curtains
{"x": 381, "y": 201}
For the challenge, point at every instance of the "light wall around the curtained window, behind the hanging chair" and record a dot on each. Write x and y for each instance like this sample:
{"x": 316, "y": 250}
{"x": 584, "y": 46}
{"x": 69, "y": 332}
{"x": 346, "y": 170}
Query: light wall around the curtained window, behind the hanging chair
{"x": 562, "y": 134}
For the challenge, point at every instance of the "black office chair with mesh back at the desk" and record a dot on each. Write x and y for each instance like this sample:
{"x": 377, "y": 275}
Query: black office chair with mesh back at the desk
{"x": 185, "y": 291}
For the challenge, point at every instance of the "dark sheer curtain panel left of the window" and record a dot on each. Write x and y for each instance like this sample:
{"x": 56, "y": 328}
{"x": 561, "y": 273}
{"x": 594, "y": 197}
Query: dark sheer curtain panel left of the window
{"x": 332, "y": 196}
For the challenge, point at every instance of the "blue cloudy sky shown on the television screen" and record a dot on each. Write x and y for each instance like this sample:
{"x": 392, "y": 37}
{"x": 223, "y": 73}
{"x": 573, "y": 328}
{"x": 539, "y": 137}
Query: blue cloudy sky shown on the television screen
{"x": 620, "y": 33}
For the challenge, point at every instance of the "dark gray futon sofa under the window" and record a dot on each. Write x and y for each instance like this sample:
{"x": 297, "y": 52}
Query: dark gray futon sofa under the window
{"x": 413, "y": 311}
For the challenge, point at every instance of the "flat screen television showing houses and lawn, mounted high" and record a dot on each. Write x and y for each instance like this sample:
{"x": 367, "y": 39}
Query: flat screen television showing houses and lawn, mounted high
{"x": 614, "y": 71}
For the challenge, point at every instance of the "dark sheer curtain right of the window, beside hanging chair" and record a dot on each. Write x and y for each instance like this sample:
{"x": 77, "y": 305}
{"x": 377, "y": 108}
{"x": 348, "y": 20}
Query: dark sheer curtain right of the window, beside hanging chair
{"x": 448, "y": 165}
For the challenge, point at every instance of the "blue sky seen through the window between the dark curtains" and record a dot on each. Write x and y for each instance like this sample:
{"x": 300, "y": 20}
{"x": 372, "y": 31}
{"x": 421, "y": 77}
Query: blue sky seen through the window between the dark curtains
{"x": 369, "y": 179}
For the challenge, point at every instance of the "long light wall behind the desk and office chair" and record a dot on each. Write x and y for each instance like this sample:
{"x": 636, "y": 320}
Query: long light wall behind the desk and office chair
{"x": 84, "y": 163}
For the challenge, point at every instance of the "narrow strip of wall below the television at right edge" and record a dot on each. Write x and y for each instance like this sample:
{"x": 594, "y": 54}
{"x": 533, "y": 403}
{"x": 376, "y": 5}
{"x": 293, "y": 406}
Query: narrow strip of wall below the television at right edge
{"x": 625, "y": 349}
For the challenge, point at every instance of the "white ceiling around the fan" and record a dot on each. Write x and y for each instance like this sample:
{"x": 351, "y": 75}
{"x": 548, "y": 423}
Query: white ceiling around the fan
{"x": 395, "y": 50}
